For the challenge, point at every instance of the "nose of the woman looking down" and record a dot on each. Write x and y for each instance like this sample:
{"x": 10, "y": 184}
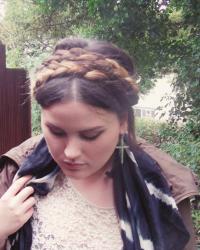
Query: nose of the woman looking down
{"x": 72, "y": 149}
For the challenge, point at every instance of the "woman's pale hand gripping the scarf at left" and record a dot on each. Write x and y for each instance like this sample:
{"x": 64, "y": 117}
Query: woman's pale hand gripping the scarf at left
{"x": 16, "y": 207}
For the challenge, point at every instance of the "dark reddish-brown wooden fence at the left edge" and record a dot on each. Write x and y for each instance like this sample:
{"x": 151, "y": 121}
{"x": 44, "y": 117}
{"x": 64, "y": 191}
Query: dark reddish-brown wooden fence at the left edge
{"x": 15, "y": 115}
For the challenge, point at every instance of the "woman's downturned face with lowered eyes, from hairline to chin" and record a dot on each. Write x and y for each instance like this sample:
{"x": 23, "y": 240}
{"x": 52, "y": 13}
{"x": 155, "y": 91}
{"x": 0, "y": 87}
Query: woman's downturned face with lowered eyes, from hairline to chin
{"x": 81, "y": 138}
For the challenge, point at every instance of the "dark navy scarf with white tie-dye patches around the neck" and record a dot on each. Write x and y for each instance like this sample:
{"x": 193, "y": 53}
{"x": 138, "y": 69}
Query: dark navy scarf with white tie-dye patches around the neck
{"x": 148, "y": 215}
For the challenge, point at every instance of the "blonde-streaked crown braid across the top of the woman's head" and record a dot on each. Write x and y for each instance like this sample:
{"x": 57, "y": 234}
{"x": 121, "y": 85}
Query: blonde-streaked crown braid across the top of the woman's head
{"x": 85, "y": 64}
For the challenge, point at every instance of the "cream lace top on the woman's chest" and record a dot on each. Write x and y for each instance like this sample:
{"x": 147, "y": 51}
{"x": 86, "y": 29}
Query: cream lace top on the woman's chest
{"x": 64, "y": 220}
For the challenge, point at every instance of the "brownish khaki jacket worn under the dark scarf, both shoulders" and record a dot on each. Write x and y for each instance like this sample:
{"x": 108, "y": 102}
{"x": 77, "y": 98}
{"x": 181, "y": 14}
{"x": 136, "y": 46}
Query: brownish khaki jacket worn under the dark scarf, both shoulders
{"x": 182, "y": 181}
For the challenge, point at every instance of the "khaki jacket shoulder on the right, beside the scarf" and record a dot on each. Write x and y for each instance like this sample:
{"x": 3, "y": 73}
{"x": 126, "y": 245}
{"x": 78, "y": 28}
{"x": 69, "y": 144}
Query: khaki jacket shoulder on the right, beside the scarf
{"x": 181, "y": 179}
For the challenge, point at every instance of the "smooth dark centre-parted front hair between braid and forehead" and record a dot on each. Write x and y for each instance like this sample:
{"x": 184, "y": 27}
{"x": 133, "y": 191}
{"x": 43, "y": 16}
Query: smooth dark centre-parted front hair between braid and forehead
{"x": 81, "y": 90}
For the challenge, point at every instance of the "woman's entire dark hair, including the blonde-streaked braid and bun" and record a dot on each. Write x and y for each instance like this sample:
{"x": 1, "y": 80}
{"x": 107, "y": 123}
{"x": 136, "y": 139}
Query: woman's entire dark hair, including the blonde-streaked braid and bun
{"x": 94, "y": 72}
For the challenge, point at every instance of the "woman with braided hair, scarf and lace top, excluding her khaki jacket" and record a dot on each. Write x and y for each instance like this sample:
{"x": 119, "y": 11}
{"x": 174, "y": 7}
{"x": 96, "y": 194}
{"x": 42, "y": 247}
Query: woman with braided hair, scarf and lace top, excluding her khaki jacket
{"x": 94, "y": 188}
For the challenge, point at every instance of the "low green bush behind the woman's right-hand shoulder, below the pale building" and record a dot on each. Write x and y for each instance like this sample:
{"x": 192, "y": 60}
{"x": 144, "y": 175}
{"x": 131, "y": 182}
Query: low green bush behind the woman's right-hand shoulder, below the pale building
{"x": 179, "y": 142}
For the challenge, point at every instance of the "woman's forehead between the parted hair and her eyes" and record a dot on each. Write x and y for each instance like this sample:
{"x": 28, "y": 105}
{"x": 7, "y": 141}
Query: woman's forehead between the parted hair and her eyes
{"x": 77, "y": 114}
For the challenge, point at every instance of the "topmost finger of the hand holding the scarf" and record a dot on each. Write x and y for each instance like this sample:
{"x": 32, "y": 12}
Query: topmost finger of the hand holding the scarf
{"x": 16, "y": 187}
